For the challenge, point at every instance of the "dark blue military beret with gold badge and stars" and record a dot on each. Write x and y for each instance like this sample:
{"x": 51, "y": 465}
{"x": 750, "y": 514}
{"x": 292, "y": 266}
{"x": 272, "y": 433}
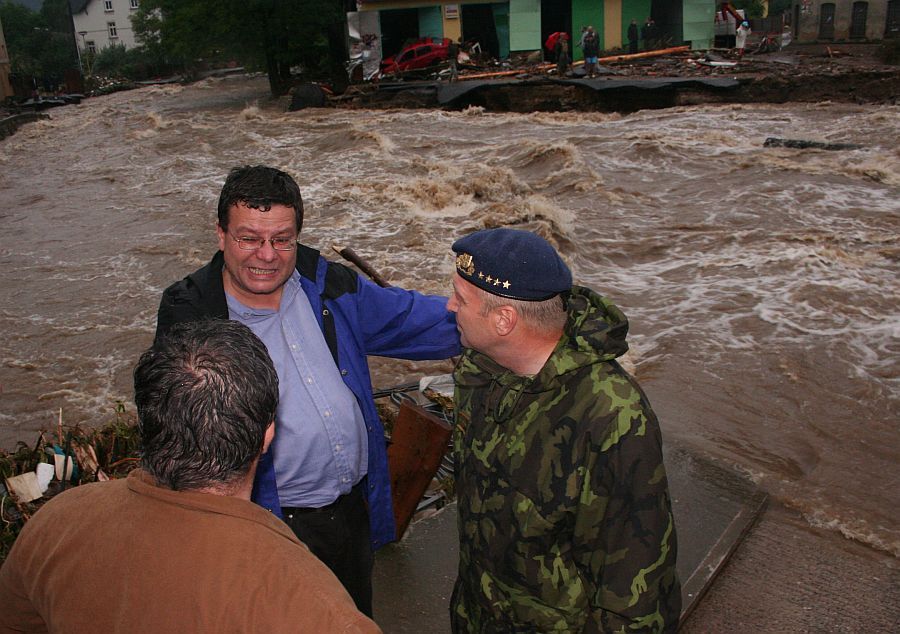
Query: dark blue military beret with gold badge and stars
{"x": 512, "y": 263}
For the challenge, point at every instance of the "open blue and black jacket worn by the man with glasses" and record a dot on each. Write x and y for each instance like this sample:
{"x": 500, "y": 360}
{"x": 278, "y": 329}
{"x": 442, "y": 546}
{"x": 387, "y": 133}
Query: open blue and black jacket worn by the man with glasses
{"x": 357, "y": 318}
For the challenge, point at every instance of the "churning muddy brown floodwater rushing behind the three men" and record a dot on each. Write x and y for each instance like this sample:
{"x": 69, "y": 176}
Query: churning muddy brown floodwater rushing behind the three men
{"x": 761, "y": 283}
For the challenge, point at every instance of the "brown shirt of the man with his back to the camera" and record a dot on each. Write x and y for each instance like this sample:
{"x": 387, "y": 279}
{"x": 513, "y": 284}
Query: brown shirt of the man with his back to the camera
{"x": 129, "y": 556}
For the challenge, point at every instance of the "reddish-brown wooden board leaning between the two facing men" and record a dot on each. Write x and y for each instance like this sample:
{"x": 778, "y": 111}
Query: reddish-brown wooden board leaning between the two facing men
{"x": 418, "y": 444}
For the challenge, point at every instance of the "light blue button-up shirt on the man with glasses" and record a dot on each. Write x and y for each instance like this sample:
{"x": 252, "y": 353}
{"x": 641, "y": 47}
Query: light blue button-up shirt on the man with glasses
{"x": 320, "y": 448}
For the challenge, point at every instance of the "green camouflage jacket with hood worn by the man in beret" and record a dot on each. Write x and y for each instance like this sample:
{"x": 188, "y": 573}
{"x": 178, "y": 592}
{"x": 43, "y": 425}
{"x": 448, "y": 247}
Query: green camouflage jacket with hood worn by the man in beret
{"x": 565, "y": 519}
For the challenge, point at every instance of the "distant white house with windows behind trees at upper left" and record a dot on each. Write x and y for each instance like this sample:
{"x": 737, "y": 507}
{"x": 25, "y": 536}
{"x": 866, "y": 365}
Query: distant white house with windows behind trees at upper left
{"x": 100, "y": 23}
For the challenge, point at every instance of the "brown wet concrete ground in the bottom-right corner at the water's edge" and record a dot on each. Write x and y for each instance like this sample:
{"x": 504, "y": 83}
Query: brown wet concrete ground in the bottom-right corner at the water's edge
{"x": 789, "y": 577}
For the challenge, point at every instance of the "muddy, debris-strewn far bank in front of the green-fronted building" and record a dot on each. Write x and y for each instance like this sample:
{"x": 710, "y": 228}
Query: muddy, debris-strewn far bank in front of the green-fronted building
{"x": 848, "y": 73}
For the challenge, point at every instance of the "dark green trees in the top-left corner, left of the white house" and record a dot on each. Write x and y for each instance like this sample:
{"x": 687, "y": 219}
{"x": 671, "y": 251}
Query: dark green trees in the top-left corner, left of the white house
{"x": 40, "y": 44}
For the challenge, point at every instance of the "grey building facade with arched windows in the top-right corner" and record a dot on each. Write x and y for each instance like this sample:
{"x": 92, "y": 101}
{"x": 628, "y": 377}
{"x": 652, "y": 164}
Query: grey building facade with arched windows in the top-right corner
{"x": 845, "y": 20}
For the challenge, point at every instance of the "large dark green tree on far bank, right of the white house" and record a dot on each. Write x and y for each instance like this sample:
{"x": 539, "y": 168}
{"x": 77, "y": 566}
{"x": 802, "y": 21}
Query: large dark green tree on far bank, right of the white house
{"x": 270, "y": 35}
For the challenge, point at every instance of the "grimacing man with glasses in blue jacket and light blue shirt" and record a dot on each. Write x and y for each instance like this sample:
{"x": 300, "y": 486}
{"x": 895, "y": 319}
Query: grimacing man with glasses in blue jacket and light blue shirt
{"x": 326, "y": 472}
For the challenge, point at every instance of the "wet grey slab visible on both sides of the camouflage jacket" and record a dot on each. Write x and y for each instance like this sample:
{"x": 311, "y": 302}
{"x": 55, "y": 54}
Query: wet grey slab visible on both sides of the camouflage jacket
{"x": 713, "y": 510}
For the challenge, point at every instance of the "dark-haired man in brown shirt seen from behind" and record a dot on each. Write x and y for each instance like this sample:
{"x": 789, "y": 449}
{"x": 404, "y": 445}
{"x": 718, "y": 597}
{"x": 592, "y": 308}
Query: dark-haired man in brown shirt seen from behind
{"x": 178, "y": 546}
